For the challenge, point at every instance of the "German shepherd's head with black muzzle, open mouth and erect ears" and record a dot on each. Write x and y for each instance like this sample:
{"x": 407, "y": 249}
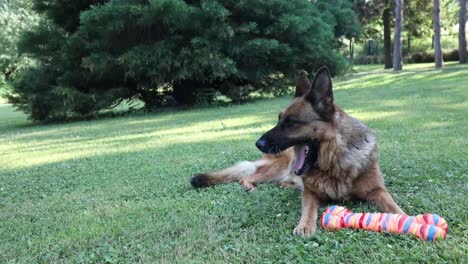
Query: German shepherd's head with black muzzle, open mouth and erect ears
{"x": 305, "y": 122}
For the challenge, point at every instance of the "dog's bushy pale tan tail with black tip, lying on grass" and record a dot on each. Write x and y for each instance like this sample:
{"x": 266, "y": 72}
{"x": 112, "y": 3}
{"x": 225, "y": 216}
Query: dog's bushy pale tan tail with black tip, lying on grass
{"x": 231, "y": 174}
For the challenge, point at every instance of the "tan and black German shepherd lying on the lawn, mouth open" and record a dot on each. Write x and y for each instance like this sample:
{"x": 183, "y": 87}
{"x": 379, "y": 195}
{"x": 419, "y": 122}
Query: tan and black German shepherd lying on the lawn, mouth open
{"x": 318, "y": 148}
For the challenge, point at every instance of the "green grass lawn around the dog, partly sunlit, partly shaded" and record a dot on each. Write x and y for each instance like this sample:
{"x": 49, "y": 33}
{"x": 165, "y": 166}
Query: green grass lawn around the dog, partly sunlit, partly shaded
{"x": 117, "y": 190}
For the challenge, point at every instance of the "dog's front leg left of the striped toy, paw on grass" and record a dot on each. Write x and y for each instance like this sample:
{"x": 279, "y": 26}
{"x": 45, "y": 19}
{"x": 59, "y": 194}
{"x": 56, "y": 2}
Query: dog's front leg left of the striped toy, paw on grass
{"x": 308, "y": 222}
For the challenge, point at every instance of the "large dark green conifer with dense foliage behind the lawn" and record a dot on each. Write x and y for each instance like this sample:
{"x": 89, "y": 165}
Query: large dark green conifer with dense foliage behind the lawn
{"x": 92, "y": 54}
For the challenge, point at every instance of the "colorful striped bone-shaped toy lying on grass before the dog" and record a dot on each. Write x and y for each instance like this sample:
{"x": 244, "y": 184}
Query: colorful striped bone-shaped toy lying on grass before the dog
{"x": 429, "y": 227}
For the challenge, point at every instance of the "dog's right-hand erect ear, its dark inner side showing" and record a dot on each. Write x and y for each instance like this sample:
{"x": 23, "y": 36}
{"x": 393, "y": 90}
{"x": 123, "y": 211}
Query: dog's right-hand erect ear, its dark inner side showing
{"x": 321, "y": 94}
